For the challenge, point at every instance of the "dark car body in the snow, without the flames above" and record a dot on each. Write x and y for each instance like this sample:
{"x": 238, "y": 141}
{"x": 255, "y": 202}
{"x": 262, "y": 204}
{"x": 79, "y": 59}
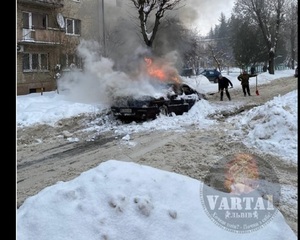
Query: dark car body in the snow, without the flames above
{"x": 180, "y": 99}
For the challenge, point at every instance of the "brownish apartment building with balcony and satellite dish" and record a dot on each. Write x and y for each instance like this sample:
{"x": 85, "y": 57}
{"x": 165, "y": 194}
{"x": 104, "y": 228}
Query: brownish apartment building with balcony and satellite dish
{"x": 48, "y": 32}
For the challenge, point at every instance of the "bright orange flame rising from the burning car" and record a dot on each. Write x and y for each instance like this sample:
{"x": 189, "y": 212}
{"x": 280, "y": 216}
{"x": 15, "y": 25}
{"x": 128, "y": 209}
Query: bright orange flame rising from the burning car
{"x": 161, "y": 71}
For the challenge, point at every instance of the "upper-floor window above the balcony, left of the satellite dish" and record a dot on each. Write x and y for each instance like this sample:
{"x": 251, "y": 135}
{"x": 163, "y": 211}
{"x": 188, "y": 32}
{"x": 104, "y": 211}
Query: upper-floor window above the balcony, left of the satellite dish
{"x": 34, "y": 20}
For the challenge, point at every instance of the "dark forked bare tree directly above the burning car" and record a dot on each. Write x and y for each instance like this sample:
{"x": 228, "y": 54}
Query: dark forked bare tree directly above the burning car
{"x": 145, "y": 9}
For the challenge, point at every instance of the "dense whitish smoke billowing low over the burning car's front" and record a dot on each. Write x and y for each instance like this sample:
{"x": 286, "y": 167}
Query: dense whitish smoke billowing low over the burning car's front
{"x": 99, "y": 82}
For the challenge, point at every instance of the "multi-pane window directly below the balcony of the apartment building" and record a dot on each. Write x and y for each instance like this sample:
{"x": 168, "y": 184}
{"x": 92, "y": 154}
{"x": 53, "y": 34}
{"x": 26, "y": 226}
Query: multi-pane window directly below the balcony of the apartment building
{"x": 35, "y": 62}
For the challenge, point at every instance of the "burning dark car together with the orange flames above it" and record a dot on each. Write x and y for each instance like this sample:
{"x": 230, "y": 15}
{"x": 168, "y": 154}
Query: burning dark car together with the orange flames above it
{"x": 173, "y": 96}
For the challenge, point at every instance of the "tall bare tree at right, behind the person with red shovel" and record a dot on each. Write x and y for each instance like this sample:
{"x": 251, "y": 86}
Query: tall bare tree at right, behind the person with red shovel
{"x": 269, "y": 16}
